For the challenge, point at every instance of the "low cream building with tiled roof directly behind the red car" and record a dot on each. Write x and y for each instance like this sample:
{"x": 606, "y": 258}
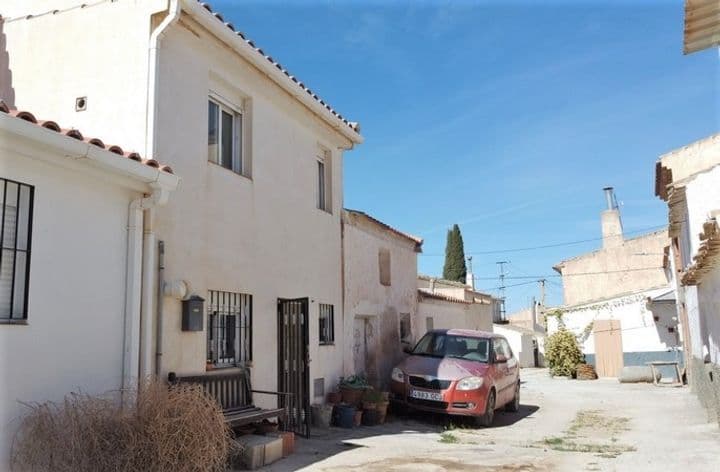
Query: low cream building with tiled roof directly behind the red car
{"x": 447, "y": 304}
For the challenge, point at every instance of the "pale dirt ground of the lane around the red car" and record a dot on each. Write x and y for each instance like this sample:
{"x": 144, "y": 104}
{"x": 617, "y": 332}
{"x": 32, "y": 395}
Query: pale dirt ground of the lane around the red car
{"x": 563, "y": 425}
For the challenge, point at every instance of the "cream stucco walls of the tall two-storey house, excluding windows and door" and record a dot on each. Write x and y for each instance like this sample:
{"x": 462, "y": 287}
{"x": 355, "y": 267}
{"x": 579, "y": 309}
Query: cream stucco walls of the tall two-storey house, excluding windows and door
{"x": 263, "y": 236}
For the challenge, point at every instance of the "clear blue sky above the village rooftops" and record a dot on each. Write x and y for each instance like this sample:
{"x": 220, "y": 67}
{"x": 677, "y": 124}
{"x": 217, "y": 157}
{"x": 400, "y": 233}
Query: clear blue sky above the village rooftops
{"x": 505, "y": 117}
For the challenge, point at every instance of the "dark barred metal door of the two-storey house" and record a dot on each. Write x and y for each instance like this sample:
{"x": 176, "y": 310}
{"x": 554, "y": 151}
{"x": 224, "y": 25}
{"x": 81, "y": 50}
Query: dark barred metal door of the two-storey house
{"x": 293, "y": 359}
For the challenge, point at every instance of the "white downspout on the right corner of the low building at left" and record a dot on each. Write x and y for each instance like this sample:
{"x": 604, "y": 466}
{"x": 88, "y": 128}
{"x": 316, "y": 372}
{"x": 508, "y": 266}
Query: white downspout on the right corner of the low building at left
{"x": 133, "y": 286}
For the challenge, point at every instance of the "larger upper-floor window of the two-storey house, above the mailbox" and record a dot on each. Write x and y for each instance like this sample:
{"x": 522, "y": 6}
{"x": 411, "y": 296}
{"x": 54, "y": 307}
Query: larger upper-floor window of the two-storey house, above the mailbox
{"x": 226, "y": 145}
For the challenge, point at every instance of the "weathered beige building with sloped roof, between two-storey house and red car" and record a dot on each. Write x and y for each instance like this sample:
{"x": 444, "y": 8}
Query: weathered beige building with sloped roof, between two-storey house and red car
{"x": 380, "y": 271}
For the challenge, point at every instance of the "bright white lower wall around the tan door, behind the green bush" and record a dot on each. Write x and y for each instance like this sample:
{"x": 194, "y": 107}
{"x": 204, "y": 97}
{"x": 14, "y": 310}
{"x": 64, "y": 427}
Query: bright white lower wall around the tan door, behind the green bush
{"x": 640, "y": 332}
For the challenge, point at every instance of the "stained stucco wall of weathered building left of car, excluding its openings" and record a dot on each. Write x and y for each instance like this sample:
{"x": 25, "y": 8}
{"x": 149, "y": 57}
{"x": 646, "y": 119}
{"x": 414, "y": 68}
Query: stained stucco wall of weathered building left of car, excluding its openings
{"x": 365, "y": 296}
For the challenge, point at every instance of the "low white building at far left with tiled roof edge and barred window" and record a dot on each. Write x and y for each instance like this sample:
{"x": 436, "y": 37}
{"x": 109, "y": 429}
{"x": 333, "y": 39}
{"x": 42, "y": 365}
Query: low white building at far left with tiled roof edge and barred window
{"x": 71, "y": 228}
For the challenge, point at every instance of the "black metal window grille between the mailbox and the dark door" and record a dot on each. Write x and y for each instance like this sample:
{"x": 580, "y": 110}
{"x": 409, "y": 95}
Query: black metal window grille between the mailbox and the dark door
{"x": 229, "y": 328}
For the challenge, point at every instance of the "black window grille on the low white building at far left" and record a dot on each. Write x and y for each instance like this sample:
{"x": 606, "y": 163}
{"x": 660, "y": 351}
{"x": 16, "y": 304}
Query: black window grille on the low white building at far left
{"x": 15, "y": 241}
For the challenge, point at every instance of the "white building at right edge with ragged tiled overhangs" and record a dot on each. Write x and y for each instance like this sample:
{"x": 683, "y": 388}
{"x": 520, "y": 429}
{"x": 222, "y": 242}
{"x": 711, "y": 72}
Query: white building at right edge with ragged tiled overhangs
{"x": 688, "y": 179}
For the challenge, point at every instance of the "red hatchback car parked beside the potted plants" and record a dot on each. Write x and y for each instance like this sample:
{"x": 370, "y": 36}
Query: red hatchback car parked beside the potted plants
{"x": 459, "y": 372}
